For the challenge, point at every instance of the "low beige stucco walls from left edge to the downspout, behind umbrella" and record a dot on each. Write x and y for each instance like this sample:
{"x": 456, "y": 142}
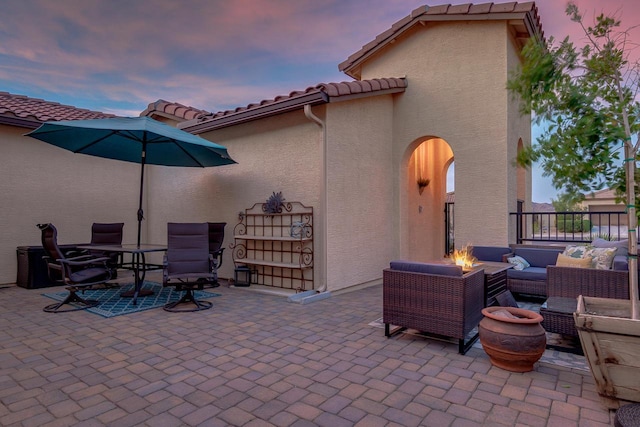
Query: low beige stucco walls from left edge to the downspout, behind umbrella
{"x": 42, "y": 183}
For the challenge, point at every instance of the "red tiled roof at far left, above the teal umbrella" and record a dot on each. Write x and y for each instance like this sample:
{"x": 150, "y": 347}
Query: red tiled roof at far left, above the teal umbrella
{"x": 20, "y": 110}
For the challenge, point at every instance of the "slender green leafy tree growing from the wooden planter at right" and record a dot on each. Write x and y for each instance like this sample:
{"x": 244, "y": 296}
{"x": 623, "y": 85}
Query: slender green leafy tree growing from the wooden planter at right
{"x": 586, "y": 100}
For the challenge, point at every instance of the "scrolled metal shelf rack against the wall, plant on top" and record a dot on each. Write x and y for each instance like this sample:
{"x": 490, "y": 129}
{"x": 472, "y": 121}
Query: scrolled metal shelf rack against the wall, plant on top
{"x": 278, "y": 245}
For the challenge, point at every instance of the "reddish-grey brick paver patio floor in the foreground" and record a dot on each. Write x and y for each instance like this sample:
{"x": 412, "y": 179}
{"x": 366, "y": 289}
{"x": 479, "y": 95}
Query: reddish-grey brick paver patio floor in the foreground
{"x": 257, "y": 360}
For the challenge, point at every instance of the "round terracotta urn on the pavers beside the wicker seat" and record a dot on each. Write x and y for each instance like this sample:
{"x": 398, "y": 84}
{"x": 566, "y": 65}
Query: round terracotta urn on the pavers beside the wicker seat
{"x": 513, "y": 338}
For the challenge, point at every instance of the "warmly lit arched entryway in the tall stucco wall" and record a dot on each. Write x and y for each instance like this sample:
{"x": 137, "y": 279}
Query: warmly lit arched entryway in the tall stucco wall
{"x": 426, "y": 189}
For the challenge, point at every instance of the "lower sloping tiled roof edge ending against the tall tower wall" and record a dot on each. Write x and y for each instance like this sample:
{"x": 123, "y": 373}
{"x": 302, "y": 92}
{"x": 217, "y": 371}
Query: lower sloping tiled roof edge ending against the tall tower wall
{"x": 320, "y": 94}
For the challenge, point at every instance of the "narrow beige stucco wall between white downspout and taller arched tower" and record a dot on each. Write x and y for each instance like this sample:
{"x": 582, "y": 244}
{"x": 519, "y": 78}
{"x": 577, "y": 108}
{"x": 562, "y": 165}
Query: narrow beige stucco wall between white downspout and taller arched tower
{"x": 360, "y": 189}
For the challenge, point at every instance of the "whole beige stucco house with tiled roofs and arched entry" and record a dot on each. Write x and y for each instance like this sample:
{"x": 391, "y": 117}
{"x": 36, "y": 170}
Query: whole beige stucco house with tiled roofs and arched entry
{"x": 426, "y": 92}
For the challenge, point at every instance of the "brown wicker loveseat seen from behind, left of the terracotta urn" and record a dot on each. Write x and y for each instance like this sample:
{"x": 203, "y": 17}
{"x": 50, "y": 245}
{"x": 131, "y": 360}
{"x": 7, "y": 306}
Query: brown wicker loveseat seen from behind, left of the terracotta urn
{"x": 434, "y": 299}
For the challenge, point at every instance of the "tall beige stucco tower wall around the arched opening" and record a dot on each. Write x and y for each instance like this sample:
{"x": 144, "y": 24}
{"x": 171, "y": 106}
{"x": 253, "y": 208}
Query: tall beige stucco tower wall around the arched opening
{"x": 456, "y": 91}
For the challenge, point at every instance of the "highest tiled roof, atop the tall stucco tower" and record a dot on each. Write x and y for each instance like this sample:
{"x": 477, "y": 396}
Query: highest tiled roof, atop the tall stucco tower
{"x": 522, "y": 17}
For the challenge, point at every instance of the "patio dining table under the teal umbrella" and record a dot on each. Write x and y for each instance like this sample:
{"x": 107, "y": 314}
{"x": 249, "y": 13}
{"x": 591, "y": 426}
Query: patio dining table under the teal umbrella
{"x": 138, "y": 263}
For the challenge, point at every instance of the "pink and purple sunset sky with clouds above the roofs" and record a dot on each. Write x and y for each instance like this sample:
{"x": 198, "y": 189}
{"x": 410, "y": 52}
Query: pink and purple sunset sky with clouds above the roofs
{"x": 117, "y": 56}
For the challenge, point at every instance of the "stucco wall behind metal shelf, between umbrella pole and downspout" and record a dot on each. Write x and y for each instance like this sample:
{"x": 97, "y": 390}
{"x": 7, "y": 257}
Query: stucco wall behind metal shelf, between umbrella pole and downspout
{"x": 280, "y": 153}
